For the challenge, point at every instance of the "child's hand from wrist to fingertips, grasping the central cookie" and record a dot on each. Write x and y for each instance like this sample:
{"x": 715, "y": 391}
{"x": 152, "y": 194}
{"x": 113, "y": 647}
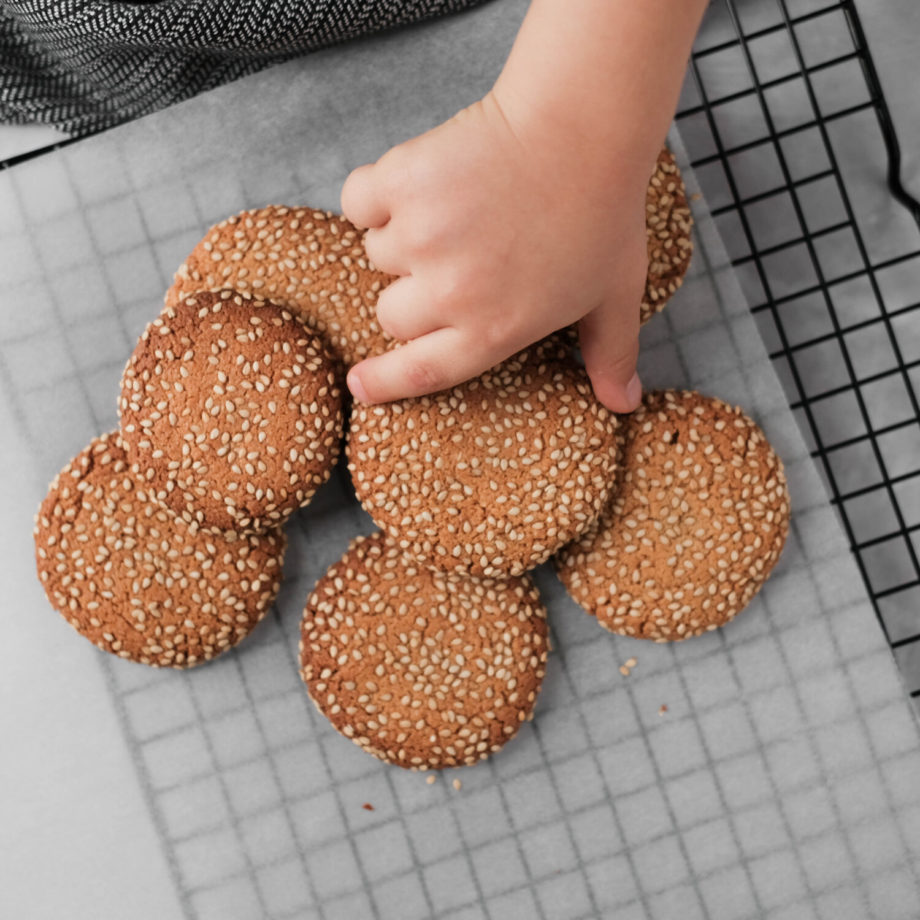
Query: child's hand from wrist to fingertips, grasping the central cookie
{"x": 501, "y": 233}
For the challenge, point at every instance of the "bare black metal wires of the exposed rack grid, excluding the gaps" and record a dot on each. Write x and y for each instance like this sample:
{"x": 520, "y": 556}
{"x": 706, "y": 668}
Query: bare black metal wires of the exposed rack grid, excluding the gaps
{"x": 793, "y": 356}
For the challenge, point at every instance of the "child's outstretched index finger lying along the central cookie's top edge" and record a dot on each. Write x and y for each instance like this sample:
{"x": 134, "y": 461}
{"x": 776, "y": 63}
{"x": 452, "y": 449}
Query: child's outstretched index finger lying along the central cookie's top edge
{"x": 436, "y": 361}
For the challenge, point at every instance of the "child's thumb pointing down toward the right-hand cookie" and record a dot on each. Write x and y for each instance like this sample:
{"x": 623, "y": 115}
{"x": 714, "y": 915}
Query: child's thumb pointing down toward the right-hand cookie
{"x": 609, "y": 340}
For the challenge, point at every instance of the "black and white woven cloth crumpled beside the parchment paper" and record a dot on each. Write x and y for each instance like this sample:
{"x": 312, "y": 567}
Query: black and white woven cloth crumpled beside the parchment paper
{"x": 86, "y": 65}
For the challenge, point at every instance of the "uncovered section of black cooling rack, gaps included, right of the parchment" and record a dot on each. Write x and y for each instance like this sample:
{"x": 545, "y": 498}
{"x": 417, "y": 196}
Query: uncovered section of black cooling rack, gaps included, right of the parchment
{"x": 781, "y": 101}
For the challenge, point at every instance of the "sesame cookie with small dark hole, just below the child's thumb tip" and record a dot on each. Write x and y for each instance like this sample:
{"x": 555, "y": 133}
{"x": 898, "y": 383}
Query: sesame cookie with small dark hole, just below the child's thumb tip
{"x": 696, "y": 524}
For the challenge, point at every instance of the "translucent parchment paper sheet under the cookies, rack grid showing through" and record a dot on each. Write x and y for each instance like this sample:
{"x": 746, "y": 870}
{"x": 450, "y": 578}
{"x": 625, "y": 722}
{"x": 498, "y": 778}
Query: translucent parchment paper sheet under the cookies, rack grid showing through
{"x": 780, "y": 782}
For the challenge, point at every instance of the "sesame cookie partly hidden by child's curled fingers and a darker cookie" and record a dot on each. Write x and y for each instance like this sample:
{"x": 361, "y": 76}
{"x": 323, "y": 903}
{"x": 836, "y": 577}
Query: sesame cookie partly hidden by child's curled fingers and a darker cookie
{"x": 309, "y": 261}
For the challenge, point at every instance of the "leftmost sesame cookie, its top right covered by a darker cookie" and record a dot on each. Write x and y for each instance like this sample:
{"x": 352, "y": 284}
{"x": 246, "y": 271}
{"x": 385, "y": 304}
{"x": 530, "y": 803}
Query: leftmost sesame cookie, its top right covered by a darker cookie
{"x": 137, "y": 583}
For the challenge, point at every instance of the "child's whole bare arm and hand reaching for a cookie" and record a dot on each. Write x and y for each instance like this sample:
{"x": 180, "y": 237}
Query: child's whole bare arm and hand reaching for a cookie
{"x": 525, "y": 212}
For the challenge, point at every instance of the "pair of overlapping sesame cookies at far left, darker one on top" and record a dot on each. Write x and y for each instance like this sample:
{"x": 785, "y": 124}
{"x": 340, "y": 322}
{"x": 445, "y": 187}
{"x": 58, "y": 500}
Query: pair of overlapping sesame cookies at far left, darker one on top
{"x": 161, "y": 542}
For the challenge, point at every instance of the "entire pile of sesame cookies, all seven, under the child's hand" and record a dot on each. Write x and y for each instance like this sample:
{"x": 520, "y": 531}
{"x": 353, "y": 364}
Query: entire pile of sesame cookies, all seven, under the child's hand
{"x": 427, "y": 642}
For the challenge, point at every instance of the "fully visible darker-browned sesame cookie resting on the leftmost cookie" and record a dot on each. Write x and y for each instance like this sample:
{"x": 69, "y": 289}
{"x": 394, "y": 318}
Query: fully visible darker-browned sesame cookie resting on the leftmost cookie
{"x": 231, "y": 412}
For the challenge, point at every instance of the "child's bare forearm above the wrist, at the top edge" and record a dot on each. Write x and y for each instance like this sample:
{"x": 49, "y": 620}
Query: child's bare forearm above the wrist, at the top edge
{"x": 602, "y": 74}
